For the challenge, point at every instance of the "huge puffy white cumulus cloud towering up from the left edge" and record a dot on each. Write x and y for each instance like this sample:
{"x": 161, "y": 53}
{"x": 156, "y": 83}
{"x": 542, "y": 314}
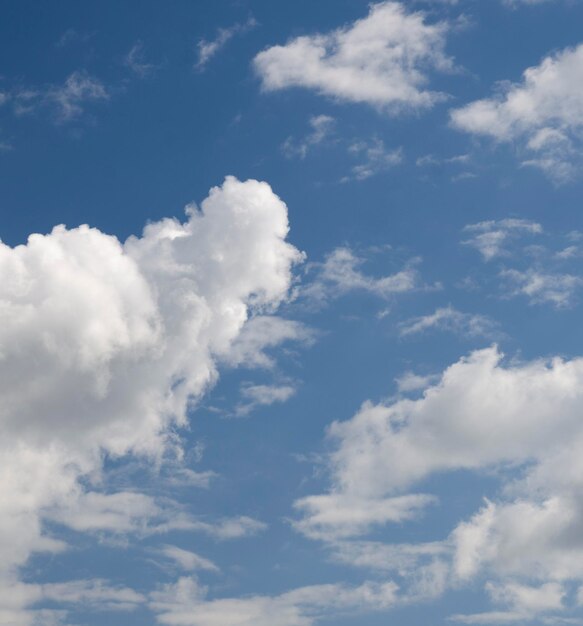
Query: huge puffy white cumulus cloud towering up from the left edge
{"x": 104, "y": 346}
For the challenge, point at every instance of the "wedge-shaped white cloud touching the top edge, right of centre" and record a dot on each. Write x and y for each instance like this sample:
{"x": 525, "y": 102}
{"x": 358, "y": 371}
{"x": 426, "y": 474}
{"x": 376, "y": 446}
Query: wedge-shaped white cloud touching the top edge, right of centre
{"x": 382, "y": 60}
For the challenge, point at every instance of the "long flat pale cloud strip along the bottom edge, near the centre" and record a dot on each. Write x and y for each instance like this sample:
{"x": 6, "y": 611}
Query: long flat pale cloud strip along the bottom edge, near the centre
{"x": 185, "y": 603}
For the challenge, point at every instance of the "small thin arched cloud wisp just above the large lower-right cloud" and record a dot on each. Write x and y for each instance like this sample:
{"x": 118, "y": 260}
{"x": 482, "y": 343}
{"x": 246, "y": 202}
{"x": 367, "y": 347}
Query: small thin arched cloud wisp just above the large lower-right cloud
{"x": 452, "y": 320}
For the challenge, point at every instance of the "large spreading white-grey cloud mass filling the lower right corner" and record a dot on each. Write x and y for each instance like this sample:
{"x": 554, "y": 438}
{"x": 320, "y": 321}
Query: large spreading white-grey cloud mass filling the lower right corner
{"x": 522, "y": 419}
